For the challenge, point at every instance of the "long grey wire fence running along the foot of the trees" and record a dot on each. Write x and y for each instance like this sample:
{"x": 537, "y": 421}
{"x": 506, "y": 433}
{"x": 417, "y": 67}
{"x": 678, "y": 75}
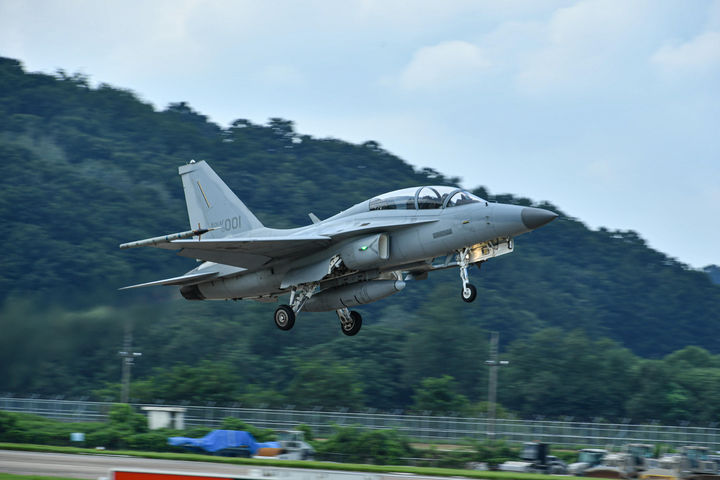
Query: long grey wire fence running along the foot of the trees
{"x": 429, "y": 429}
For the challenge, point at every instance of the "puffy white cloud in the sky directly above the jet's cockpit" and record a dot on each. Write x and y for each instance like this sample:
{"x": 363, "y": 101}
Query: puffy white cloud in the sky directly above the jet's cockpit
{"x": 444, "y": 66}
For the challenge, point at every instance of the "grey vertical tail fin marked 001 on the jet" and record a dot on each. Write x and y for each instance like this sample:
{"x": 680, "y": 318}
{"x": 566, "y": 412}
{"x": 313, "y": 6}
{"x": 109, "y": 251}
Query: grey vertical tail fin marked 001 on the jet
{"x": 211, "y": 203}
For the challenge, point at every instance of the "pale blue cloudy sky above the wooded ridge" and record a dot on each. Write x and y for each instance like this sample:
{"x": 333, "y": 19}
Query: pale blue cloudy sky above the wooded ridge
{"x": 609, "y": 110}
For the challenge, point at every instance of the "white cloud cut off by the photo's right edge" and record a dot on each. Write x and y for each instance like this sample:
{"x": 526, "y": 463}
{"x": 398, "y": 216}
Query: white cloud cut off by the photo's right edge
{"x": 698, "y": 55}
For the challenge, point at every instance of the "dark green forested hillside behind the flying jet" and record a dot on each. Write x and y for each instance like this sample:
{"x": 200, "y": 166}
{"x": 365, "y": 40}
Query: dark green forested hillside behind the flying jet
{"x": 586, "y": 317}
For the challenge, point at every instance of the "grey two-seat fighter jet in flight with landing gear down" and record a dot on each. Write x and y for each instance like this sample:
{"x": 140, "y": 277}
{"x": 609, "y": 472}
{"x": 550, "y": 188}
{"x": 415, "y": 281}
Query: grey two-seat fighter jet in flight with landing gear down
{"x": 365, "y": 253}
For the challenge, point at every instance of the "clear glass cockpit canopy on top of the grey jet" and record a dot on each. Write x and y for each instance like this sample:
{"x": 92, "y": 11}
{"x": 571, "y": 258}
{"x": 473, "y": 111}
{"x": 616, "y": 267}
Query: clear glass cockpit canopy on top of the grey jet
{"x": 423, "y": 198}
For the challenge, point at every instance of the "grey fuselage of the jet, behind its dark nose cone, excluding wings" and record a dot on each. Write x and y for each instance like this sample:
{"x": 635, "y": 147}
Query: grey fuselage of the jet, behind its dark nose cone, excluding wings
{"x": 425, "y": 234}
